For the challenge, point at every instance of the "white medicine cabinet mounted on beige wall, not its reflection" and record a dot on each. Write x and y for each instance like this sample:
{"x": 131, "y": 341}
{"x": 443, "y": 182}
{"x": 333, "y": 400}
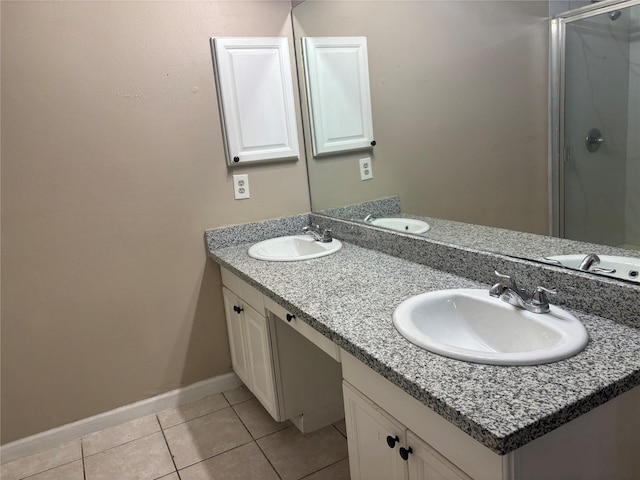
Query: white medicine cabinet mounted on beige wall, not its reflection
{"x": 255, "y": 95}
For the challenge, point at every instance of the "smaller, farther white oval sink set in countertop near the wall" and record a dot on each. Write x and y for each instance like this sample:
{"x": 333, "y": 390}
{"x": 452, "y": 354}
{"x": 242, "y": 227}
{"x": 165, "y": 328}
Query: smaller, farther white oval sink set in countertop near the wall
{"x": 293, "y": 248}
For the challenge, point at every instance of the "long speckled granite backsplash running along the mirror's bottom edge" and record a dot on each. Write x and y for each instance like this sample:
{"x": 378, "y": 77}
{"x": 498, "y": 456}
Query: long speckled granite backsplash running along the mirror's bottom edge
{"x": 614, "y": 299}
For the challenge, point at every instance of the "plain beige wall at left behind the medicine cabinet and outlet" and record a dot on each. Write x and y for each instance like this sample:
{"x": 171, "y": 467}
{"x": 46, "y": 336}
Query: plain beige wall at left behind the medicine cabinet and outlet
{"x": 112, "y": 167}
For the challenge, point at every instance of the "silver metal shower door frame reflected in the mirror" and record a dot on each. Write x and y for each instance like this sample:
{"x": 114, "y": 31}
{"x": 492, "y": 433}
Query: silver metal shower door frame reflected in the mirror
{"x": 557, "y": 44}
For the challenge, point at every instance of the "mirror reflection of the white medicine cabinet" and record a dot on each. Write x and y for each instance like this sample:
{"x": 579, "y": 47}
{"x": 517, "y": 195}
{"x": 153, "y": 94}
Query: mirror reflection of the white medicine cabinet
{"x": 338, "y": 95}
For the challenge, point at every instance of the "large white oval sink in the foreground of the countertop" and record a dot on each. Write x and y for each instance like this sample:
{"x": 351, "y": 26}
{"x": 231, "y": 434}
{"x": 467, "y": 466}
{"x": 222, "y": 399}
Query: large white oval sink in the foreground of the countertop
{"x": 470, "y": 325}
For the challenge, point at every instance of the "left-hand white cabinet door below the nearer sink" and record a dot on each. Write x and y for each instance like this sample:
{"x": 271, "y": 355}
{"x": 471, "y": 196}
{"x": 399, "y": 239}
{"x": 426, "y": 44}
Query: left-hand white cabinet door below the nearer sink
{"x": 370, "y": 456}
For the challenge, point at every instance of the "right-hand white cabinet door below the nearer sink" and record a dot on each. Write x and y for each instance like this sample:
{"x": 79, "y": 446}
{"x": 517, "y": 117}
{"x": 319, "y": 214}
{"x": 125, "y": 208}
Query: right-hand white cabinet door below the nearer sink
{"x": 425, "y": 463}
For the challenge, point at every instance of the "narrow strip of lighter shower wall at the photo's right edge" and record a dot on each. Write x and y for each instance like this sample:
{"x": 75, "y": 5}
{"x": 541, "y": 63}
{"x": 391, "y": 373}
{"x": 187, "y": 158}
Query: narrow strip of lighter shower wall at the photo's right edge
{"x": 632, "y": 213}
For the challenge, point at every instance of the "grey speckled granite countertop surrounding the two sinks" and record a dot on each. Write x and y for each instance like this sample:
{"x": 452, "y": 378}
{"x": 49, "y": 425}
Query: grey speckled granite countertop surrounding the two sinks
{"x": 350, "y": 297}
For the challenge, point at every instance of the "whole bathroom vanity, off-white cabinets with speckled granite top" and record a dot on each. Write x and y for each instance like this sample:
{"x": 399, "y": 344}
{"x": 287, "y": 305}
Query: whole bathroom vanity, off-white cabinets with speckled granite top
{"x": 411, "y": 413}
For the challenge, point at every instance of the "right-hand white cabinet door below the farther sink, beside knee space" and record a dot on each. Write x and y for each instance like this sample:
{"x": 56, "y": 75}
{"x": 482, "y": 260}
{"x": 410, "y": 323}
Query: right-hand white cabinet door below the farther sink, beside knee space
{"x": 260, "y": 360}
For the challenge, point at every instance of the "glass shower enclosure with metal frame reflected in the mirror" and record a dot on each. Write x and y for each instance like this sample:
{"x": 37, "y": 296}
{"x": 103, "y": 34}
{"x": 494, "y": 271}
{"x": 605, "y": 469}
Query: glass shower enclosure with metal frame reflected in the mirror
{"x": 595, "y": 137}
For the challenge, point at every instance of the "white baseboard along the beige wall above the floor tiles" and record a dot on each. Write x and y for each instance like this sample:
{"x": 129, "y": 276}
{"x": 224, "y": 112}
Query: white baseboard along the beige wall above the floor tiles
{"x": 73, "y": 431}
